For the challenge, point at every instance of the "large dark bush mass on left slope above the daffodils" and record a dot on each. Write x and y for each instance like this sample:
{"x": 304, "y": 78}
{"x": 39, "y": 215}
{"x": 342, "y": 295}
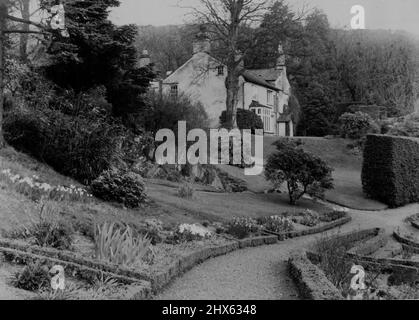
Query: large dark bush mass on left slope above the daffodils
{"x": 74, "y": 146}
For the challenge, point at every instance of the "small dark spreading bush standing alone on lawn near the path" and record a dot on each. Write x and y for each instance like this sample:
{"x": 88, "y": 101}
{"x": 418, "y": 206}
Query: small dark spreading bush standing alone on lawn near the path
{"x": 299, "y": 169}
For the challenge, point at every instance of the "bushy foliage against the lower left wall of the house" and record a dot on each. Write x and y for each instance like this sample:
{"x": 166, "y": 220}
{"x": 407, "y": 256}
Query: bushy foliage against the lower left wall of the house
{"x": 165, "y": 113}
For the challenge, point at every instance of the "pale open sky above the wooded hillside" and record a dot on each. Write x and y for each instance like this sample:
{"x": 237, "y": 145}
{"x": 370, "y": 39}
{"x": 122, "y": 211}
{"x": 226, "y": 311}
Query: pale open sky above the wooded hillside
{"x": 379, "y": 14}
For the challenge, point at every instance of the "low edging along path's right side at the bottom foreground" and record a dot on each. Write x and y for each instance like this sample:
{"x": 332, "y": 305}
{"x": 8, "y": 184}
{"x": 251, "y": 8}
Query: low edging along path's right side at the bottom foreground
{"x": 311, "y": 281}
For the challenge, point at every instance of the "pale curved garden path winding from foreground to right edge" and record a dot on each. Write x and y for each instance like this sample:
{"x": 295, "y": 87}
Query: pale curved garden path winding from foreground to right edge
{"x": 261, "y": 273}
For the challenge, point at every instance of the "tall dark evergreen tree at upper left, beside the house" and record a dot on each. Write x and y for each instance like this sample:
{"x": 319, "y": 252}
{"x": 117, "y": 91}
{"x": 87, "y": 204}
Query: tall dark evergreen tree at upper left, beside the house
{"x": 99, "y": 53}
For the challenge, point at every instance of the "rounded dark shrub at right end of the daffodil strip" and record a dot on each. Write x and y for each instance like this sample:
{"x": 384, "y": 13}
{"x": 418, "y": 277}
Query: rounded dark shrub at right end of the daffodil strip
{"x": 119, "y": 186}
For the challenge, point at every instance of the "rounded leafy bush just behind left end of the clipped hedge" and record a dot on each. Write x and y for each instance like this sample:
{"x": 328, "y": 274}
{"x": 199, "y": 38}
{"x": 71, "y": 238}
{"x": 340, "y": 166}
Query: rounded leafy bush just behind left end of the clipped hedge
{"x": 357, "y": 125}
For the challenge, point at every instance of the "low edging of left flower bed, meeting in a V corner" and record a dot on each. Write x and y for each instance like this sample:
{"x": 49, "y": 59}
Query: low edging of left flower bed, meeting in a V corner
{"x": 25, "y": 253}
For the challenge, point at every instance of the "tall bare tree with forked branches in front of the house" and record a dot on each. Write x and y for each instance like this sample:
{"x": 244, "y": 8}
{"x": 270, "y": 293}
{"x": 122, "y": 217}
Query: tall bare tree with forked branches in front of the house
{"x": 232, "y": 24}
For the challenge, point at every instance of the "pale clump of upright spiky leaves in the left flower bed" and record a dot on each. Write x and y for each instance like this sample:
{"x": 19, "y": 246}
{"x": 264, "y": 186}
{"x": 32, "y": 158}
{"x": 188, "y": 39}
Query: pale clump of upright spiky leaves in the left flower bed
{"x": 120, "y": 247}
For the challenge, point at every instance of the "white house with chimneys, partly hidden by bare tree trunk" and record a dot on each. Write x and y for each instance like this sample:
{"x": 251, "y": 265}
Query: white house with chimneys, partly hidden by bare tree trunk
{"x": 265, "y": 92}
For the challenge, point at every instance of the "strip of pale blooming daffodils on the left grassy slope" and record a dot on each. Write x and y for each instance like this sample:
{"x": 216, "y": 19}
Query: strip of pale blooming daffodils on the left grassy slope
{"x": 34, "y": 188}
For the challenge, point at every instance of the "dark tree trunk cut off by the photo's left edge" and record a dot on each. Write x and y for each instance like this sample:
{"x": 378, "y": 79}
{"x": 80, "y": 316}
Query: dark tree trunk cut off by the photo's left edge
{"x": 3, "y": 15}
